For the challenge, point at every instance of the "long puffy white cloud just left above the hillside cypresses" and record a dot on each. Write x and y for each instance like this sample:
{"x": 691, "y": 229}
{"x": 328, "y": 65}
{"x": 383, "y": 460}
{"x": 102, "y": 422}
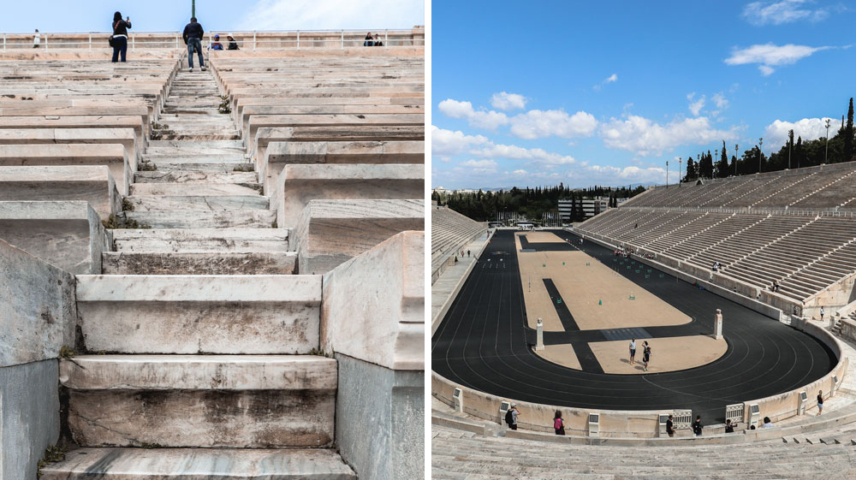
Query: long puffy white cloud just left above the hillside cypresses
{"x": 646, "y": 137}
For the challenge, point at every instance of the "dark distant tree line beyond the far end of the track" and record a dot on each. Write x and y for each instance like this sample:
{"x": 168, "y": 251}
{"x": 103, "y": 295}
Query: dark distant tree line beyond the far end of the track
{"x": 533, "y": 203}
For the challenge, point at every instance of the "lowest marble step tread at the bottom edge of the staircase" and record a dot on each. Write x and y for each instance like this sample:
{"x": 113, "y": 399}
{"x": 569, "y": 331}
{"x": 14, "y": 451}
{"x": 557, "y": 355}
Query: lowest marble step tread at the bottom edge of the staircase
{"x": 197, "y": 464}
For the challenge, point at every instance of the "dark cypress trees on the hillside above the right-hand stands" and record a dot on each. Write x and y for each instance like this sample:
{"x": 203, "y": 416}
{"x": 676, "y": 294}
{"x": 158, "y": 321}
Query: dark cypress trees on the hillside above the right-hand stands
{"x": 794, "y": 154}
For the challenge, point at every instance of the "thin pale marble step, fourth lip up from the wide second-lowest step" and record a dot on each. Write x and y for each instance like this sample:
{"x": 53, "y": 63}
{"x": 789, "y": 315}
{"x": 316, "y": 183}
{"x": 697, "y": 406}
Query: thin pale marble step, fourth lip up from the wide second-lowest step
{"x": 204, "y": 219}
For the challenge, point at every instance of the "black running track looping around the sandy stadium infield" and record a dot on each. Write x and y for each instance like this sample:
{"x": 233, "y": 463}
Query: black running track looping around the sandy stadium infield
{"x": 484, "y": 343}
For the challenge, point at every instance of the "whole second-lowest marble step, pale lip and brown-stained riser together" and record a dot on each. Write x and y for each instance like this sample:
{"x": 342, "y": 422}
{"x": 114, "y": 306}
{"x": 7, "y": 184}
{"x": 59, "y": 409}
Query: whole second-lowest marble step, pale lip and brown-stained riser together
{"x": 246, "y": 401}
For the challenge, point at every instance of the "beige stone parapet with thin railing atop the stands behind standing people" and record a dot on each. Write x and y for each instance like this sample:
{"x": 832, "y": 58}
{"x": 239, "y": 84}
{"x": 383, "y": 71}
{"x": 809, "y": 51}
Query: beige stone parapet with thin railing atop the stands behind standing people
{"x": 254, "y": 40}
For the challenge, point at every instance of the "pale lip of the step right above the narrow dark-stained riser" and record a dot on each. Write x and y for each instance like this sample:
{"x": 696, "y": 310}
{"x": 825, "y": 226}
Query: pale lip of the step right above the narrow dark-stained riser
{"x": 202, "y": 240}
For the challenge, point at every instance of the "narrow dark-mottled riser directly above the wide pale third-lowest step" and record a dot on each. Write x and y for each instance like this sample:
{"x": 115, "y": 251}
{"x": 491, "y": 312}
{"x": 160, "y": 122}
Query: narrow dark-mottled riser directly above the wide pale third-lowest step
{"x": 207, "y": 263}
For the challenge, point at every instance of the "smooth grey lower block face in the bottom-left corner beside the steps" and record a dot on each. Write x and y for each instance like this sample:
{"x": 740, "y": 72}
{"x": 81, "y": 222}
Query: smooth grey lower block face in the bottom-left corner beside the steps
{"x": 29, "y": 411}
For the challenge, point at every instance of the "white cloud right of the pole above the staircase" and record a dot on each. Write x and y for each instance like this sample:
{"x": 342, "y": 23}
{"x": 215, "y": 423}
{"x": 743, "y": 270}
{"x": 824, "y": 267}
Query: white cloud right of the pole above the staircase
{"x": 332, "y": 15}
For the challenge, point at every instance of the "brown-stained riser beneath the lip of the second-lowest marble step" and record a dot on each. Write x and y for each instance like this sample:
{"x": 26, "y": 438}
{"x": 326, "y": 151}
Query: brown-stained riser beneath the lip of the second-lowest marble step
{"x": 202, "y": 418}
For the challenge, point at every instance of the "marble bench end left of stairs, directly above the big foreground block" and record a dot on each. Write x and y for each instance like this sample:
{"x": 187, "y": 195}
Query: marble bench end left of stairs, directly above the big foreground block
{"x": 68, "y": 235}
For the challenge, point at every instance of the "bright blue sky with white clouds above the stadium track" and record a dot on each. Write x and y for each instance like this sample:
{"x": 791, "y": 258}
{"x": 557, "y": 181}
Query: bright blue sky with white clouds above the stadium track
{"x": 588, "y": 93}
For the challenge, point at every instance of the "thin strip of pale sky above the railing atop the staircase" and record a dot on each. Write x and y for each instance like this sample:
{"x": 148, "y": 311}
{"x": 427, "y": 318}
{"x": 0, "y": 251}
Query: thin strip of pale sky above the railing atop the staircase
{"x": 172, "y": 15}
